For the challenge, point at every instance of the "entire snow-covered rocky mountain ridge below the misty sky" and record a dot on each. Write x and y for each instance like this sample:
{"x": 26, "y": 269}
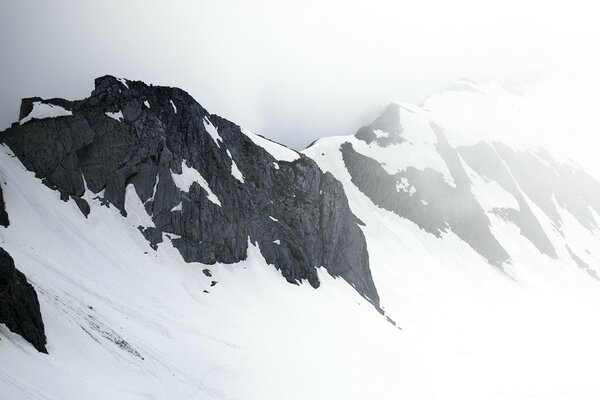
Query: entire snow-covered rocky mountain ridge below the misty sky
{"x": 172, "y": 254}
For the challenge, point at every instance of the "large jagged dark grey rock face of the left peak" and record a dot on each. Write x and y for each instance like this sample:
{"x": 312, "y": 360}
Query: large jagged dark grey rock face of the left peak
{"x": 297, "y": 215}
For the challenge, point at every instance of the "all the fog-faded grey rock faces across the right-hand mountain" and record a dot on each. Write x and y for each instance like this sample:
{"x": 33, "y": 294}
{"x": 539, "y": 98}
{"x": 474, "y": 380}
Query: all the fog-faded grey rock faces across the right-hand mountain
{"x": 530, "y": 177}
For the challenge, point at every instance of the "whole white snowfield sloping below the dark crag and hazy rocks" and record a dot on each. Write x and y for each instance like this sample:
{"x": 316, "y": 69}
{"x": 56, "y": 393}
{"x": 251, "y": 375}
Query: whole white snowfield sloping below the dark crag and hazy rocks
{"x": 468, "y": 331}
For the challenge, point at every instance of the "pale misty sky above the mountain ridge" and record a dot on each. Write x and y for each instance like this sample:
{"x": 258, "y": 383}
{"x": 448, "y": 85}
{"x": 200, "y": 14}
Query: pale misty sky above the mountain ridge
{"x": 293, "y": 70}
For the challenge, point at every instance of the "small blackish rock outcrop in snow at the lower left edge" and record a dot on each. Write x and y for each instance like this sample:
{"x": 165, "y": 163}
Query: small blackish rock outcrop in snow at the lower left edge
{"x": 19, "y": 306}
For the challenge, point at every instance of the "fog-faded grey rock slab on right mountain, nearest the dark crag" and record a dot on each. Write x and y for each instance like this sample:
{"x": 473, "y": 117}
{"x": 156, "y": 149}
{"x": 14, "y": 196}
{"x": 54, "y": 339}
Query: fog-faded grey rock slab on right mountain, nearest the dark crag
{"x": 434, "y": 205}
